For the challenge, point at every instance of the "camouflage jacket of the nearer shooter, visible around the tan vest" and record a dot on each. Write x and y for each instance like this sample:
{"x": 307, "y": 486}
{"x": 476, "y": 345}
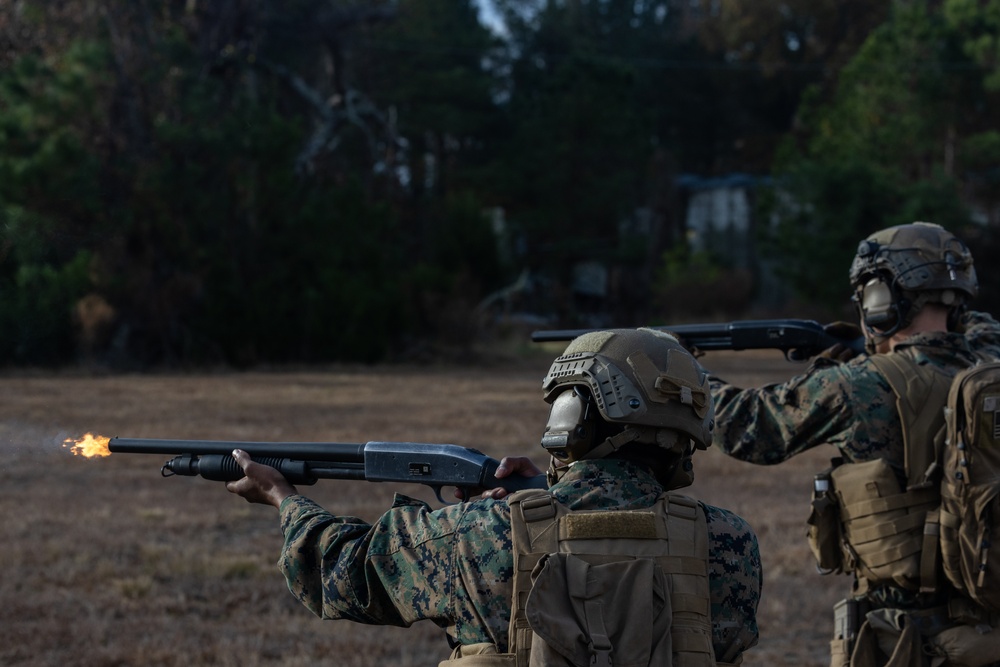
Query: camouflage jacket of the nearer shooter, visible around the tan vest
{"x": 454, "y": 565}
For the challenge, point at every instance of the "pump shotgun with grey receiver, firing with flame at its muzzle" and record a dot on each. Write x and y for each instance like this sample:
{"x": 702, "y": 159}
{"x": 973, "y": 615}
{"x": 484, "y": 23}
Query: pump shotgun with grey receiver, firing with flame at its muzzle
{"x": 434, "y": 465}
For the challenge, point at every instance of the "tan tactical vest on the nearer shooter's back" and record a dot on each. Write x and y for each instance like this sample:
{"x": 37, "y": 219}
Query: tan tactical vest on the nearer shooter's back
{"x": 603, "y": 588}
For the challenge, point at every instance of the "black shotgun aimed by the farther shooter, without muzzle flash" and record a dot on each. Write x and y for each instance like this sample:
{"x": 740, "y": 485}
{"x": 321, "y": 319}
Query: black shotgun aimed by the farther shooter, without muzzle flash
{"x": 798, "y": 339}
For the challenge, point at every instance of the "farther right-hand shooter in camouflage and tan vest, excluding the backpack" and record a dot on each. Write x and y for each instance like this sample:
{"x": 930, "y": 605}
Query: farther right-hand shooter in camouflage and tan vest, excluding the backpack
{"x": 911, "y": 285}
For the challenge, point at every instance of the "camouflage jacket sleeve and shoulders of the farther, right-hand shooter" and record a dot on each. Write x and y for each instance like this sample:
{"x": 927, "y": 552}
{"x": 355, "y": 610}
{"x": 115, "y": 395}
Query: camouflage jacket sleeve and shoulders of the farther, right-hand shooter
{"x": 848, "y": 405}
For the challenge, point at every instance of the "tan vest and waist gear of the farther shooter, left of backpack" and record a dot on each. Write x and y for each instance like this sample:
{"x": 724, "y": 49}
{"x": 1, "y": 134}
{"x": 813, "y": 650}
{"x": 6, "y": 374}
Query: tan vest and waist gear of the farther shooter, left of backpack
{"x": 885, "y": 532}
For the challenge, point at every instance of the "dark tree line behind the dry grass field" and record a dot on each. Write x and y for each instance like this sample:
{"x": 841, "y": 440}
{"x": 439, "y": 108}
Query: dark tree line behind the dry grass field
{"x": 247, "y": 181}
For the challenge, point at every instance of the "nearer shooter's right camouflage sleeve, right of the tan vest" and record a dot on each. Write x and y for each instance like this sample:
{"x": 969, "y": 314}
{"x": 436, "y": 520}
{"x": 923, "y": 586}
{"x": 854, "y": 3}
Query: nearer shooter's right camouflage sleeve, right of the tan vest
{"x": 735, "y": 578}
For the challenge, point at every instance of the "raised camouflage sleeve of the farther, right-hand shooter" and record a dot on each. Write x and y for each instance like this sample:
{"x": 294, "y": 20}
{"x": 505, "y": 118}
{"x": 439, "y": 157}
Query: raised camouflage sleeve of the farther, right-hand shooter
{"x": 847, "y": 405}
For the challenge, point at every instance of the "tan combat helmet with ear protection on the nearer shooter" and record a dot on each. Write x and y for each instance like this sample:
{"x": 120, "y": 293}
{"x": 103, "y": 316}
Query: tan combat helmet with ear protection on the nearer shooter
{"x": 613, "y": 388}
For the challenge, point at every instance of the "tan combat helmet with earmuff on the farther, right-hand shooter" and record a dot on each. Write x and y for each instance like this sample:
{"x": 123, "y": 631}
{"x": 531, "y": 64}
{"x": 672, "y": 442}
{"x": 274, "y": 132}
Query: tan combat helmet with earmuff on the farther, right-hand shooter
{"x": 898, "y": 270}
